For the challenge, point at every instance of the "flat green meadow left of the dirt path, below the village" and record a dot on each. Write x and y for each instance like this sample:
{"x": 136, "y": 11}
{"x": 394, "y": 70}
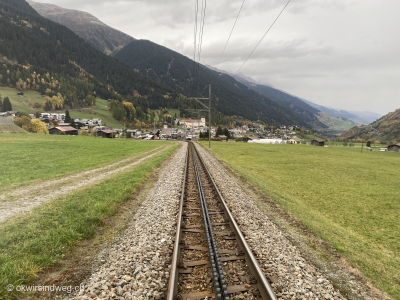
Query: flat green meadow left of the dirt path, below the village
{"x": 31, "y": 157}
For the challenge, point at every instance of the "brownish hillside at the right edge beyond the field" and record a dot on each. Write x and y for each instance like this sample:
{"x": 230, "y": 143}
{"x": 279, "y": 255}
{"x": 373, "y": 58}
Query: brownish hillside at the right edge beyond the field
{"x": 385, "y": 129}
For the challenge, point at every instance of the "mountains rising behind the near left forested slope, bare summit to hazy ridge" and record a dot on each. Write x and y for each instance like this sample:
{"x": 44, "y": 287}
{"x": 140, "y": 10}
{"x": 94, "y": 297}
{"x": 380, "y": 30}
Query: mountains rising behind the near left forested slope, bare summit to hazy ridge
{"x": 242, "y": 97}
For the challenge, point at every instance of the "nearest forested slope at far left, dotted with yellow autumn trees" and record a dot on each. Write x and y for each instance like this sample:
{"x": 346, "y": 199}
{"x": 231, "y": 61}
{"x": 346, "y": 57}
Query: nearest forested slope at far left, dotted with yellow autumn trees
{"x": 40, "y": 54}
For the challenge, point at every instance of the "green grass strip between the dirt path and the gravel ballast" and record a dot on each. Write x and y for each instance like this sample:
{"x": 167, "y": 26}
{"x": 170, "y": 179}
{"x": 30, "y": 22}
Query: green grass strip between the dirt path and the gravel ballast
{"x": 37, "y": 240}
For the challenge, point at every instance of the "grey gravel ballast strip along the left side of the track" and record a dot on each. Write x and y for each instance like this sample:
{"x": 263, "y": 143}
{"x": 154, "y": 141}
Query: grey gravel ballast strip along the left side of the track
{"x": 137, "y": 264}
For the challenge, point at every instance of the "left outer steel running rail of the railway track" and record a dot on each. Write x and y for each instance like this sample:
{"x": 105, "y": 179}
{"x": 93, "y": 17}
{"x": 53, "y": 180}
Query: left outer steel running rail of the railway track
{"x": 173, "y": 279}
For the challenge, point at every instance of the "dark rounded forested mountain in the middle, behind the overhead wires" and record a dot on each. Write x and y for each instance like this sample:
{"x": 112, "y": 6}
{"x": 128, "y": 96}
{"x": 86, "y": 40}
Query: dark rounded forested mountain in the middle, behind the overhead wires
{"x": 175, "y": 70}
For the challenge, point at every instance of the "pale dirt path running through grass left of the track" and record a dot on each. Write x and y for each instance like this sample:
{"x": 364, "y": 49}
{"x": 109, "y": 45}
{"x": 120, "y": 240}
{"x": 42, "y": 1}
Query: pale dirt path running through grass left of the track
{"x": 25, "y": 198}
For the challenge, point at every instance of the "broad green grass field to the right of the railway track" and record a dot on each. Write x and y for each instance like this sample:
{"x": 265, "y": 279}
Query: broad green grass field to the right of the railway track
{"x": 349, "y": 199}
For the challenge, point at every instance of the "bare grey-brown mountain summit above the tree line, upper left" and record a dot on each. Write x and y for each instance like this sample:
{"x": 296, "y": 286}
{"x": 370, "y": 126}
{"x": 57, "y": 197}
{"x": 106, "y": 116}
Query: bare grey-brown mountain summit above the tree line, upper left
{"x": 99, "y": 35}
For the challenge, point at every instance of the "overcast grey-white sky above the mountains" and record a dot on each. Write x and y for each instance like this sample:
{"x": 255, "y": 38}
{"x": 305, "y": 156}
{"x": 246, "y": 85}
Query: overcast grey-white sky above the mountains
{"x": 338, "y": 53}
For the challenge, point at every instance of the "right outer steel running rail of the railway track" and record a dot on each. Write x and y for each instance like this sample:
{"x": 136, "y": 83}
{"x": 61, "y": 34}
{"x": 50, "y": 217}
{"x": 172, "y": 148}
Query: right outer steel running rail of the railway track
{"x": 262, "y": 284}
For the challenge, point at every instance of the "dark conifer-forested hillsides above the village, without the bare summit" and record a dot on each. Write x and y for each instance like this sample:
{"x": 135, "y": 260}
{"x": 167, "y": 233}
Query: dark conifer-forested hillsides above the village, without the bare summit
{"x": 37, "y": 53}
